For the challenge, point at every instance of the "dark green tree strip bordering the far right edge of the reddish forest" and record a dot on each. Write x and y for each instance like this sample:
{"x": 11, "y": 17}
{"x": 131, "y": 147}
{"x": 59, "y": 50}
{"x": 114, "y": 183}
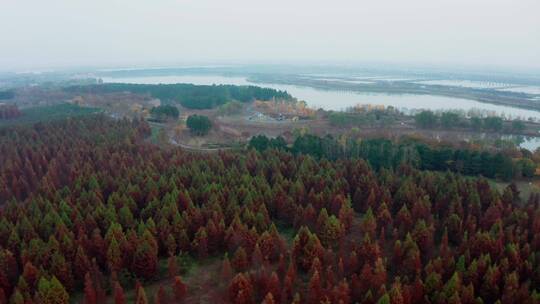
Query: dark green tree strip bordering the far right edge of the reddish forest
{"x": 384, "y": 153}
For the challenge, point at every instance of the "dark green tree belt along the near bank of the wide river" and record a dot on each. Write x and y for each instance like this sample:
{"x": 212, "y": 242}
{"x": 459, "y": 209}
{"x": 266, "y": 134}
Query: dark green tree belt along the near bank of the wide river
{"x": 189, "y": 95}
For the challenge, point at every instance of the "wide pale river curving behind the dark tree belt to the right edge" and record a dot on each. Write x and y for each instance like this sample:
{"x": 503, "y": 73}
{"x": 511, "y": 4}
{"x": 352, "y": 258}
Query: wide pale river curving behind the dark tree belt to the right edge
{"x": 340, "y": 100}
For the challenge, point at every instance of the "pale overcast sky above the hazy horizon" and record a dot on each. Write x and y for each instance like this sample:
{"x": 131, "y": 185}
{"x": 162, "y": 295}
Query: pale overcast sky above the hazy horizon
{"x": 37, "y": 34}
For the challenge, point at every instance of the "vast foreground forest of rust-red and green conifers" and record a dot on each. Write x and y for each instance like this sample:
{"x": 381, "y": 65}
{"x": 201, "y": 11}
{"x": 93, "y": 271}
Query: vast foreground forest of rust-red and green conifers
{"x": 90, "y": 207}
